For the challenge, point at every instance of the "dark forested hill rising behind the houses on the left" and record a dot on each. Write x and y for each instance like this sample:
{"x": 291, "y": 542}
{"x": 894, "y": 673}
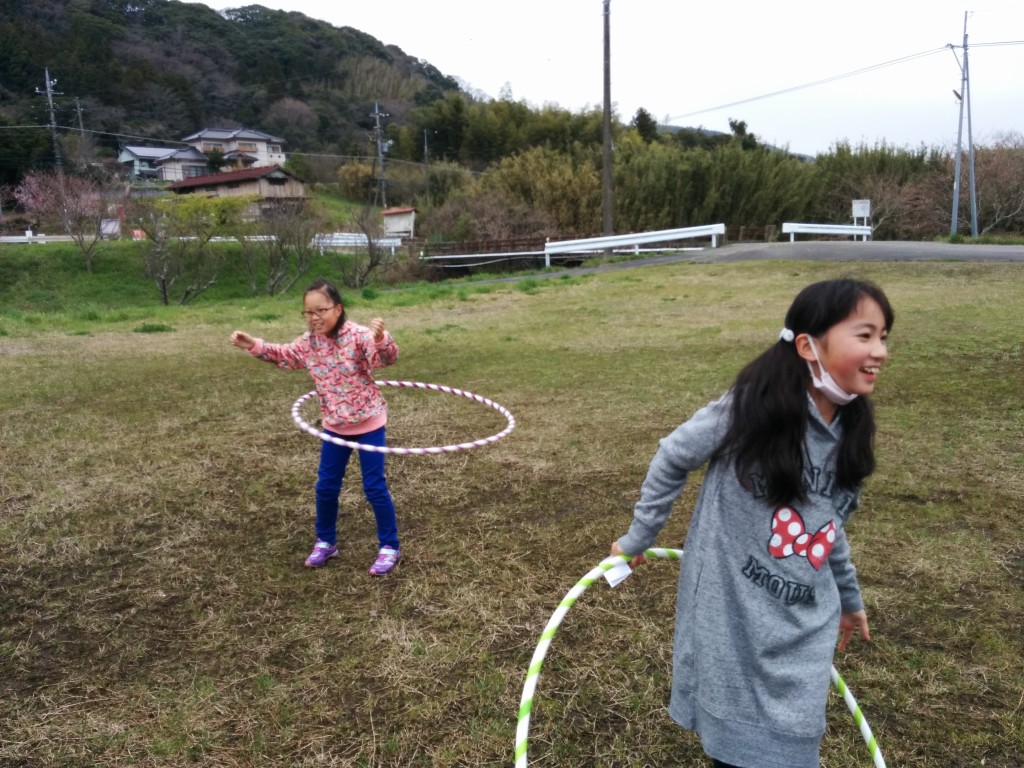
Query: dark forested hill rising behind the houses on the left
{"x": 159, "y": 69}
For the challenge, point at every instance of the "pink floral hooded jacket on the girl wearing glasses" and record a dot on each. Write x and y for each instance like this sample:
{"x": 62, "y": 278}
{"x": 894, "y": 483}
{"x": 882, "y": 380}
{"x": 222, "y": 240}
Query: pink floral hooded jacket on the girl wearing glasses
{"x": 343, "y": 369}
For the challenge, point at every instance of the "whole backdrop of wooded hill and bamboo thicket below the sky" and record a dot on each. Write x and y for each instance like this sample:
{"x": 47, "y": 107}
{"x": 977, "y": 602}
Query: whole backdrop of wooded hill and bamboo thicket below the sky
{"x": 476, "y": 168}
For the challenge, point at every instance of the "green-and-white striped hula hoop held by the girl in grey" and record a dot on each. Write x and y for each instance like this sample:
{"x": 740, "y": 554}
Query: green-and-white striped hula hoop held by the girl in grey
{"x": 616, "y": 563}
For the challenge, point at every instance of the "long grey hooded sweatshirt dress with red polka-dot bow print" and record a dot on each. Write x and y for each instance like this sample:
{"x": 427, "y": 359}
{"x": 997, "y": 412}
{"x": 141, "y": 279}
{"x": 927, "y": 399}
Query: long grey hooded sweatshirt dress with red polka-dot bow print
{"x": 761, "y": 588}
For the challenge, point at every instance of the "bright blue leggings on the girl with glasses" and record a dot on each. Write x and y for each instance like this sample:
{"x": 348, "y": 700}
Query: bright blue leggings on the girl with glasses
{"x": 334, "y": 460}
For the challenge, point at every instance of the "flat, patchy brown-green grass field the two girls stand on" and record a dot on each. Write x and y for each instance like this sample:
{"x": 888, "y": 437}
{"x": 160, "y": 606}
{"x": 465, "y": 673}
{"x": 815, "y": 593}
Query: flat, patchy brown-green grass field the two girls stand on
{"x": 156, "y": 505}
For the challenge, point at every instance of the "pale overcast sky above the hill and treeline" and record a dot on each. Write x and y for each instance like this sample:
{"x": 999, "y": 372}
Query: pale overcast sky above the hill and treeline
{"x": 698, "y": 64}
